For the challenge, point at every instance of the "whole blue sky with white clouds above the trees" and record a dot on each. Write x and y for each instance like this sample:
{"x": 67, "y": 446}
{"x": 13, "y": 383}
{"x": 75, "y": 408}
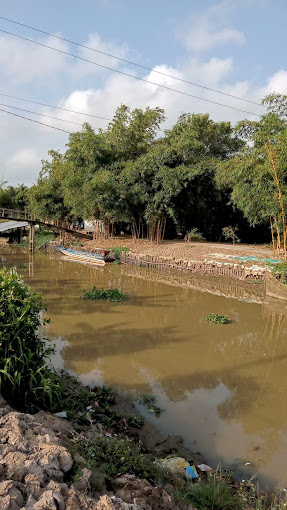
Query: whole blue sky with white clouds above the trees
{"x": 234, "y": 46}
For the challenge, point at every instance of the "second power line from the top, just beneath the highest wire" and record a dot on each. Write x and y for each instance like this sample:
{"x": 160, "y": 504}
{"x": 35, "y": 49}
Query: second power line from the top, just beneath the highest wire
{"x": 129, "y": 75}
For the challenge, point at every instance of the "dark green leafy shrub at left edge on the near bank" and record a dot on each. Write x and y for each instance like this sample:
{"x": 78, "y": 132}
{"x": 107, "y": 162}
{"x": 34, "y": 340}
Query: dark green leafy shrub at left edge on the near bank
{"x": 25, "y": 378}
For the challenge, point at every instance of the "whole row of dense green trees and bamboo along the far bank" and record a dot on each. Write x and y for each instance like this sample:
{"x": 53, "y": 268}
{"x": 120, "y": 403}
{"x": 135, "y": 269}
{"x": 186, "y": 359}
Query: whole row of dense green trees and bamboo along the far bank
{"x": 200, "y": 176}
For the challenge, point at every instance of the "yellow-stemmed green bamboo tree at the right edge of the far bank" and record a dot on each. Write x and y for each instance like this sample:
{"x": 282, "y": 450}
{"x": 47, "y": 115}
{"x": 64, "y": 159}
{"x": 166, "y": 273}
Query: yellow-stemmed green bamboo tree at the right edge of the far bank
{"x": 257, "y": 176}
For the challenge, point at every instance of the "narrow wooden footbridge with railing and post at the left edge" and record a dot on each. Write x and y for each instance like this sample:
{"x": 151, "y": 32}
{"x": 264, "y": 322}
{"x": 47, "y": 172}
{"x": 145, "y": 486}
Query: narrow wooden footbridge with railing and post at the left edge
{"x": 25, "y": 216}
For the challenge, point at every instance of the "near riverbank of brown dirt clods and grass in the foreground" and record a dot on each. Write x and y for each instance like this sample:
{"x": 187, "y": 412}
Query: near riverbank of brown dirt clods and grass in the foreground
{"x": 49, "y": 462}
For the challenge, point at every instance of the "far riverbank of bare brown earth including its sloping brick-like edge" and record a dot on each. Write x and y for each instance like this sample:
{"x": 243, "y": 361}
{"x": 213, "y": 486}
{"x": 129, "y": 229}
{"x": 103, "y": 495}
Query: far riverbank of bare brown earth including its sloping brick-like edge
{"x": 221, "y": 259}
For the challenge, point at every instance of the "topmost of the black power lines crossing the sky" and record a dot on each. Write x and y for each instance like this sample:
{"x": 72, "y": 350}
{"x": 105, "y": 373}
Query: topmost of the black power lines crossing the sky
{"x": 132, "y": 63}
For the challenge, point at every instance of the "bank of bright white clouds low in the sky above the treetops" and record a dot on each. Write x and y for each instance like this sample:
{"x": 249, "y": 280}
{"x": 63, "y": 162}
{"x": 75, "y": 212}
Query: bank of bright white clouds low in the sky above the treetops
{"x": 24, "y": 144}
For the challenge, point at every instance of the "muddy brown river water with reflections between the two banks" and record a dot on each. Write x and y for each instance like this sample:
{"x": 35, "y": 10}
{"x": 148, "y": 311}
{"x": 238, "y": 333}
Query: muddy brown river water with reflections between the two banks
{"x": 223, "y": 388}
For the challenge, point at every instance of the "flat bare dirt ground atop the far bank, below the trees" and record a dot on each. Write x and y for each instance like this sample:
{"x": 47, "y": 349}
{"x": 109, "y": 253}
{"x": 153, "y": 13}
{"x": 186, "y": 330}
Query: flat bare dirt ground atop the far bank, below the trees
{"x": 180, "y": 250}
